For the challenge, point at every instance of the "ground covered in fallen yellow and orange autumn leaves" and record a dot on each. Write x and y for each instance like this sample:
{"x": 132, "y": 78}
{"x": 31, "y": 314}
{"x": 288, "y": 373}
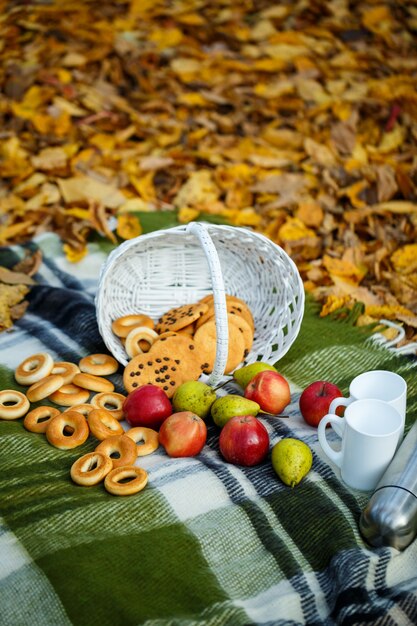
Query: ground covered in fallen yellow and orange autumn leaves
{"x": 296, "y": 119}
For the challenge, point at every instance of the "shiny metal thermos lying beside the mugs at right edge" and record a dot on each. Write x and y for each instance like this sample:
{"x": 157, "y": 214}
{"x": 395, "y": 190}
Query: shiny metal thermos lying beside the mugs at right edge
{"x": 390, "y": 517}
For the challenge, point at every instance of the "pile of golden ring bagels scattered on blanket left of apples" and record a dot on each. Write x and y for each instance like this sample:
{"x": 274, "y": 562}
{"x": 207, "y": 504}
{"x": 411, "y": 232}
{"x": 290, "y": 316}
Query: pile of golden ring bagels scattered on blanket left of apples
{"x": 70, "y": 385}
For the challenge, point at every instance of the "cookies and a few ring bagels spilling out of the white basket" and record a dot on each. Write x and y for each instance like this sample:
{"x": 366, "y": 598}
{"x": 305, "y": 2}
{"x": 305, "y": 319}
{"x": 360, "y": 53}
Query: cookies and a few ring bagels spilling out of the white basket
{"x": 182, "y": 344}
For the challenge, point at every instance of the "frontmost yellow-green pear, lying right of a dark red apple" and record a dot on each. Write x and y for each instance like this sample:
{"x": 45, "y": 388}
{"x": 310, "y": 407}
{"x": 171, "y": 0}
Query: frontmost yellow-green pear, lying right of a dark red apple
{"x": 292, "y": 460}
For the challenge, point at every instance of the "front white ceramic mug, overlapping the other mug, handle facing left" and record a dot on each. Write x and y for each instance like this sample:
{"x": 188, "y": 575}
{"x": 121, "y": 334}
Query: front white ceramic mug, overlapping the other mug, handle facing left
{"x": 370, "y": 432}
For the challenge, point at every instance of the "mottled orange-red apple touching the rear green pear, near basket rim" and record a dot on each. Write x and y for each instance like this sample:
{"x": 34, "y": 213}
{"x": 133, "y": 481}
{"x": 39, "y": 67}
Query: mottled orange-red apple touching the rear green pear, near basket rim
{"x": 270, "y": 390}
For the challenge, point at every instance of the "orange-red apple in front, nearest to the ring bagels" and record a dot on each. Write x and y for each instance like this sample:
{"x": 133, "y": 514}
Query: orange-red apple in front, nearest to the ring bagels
{"x": 183, "y": 434}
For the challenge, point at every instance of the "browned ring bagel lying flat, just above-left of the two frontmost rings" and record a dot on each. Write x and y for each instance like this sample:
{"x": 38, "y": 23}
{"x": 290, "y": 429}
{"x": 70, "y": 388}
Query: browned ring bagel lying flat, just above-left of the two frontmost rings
{"x": 67, "y": 430}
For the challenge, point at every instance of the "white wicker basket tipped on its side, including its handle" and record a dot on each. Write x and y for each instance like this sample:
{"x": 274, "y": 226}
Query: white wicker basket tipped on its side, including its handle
{"x": 167, "y": 268}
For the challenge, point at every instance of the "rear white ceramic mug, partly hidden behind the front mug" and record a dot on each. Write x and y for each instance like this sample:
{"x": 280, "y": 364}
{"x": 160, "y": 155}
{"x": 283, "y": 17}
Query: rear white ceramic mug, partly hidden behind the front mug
{"x": 380, "y": 385}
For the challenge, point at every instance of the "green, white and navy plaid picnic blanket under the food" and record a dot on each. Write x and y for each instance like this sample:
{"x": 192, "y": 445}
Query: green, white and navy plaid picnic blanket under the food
{"x": 206, "y": 542}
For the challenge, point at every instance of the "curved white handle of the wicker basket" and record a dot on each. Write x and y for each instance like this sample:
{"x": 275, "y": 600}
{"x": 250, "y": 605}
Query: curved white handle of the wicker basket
{"x": 222, "y": 330}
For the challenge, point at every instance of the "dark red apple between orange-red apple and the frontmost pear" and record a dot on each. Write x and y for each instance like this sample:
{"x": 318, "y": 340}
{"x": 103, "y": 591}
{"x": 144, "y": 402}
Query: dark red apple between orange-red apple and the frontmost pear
{"x": 244, "y": 440}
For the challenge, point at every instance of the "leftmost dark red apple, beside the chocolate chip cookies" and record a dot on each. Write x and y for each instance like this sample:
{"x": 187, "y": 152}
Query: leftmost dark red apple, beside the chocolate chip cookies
{"x": 147, "y": 406}
